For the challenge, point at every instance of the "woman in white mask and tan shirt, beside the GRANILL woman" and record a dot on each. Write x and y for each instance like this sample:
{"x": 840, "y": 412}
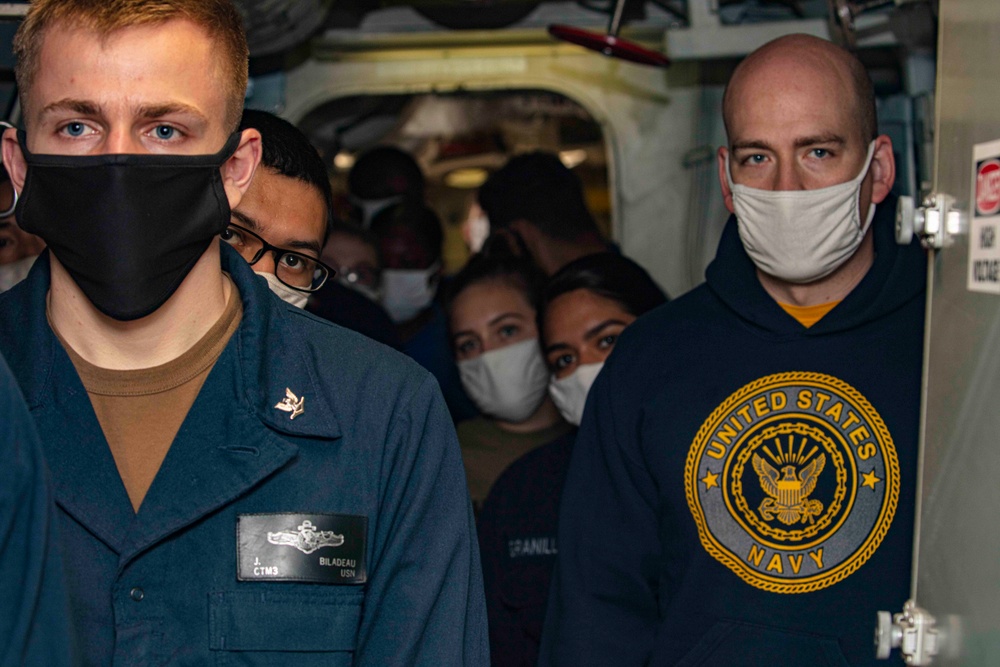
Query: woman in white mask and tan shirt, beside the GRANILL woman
{"x": 492, "y": 311}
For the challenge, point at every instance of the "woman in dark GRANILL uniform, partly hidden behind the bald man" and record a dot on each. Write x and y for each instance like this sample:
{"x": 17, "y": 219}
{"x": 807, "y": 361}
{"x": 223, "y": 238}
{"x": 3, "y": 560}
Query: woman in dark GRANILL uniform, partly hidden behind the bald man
{"x": 585, "y": 306}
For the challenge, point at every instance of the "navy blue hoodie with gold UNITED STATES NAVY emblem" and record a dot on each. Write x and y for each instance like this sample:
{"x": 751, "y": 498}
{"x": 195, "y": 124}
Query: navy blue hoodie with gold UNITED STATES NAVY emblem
{"x": 742, "y": 487}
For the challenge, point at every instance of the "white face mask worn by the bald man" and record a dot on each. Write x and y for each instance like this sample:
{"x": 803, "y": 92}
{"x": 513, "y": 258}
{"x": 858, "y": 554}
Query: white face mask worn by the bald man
{"x": 801, "y": 235}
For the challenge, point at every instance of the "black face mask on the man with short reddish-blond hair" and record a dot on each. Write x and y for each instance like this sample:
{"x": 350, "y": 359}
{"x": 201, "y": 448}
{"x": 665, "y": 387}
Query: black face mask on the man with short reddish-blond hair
{"x": 128, "y": 228}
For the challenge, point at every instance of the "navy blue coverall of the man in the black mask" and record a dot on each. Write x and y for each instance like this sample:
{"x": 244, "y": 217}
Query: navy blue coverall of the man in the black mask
{"x": 373, "y": 443}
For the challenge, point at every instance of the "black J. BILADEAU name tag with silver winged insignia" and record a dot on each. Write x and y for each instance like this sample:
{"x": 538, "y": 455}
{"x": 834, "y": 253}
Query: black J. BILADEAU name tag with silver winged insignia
{"x": 318, "y": 548}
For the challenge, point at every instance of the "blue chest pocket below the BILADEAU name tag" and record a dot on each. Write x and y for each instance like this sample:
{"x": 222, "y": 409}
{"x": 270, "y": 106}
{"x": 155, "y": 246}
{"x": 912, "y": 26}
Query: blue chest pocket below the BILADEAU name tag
{"x": 267, "y": 627}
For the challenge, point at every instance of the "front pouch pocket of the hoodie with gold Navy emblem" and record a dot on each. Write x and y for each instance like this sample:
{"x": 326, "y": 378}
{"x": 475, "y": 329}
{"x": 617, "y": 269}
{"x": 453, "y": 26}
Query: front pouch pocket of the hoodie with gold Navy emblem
{"x": 736, "y": 644}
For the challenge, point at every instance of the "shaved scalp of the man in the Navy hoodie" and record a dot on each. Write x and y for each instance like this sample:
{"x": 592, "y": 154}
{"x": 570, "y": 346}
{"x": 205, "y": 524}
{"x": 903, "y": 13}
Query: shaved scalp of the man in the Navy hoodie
{"x": 793, "y": 56}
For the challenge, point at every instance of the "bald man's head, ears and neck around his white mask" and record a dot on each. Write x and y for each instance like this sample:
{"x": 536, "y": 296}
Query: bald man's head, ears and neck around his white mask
{"x": 800, "y": 115}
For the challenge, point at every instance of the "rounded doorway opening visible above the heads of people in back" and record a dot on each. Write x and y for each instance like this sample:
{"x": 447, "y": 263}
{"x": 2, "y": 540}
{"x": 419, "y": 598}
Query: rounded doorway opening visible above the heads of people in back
{"x": 459, "y": 139}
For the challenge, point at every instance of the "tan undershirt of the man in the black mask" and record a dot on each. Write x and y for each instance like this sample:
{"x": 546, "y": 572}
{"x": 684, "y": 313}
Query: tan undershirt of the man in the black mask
{"x": 140, "y": 411}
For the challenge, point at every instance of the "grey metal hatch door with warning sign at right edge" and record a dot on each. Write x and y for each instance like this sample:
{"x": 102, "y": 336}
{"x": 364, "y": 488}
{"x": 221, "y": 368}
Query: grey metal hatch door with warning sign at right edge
{"x": 957, "y": 552}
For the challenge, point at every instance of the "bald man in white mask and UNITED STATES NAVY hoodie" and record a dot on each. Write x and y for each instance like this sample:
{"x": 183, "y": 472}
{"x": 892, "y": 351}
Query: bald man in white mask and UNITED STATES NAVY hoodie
{"x": 742, "y": 487}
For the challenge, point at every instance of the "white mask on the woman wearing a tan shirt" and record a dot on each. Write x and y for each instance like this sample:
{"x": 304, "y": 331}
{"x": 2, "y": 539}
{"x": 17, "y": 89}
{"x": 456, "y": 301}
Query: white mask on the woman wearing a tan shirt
{"x": 508, "y": 383}
